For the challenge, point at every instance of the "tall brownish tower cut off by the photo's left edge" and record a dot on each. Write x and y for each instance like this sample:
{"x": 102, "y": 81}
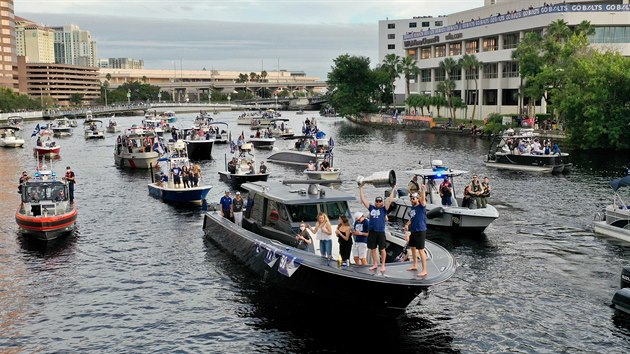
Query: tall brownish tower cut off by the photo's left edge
{"x": 8, "y": 59}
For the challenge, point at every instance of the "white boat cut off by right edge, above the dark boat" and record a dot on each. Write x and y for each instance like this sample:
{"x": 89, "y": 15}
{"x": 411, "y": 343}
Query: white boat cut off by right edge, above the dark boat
{"x": 614, "y": 220}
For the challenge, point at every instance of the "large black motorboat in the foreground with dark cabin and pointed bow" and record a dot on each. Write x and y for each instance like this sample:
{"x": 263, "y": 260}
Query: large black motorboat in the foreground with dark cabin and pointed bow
{"x": 266, "y": 244}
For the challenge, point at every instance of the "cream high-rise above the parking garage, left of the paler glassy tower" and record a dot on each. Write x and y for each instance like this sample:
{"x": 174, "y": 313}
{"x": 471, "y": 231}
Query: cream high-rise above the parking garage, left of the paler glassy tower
{"x": 34, "y": 42}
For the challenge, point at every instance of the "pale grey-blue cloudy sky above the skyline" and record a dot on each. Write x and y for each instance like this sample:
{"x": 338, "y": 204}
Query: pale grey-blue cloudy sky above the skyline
{"x": 234, "y": 35}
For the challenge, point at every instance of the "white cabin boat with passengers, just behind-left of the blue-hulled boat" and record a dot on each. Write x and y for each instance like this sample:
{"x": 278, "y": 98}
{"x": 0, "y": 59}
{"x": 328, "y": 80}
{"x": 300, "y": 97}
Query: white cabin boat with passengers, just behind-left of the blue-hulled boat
{"x": 136, "y": 148}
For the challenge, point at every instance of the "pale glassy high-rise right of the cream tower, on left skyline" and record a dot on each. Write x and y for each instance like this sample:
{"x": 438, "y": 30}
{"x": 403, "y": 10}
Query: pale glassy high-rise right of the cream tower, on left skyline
{"x": 74, "y": 46}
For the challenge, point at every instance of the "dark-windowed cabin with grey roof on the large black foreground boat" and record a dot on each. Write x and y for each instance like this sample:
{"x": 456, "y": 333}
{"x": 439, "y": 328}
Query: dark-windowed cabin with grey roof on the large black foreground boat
{"x": 276, "y": 210}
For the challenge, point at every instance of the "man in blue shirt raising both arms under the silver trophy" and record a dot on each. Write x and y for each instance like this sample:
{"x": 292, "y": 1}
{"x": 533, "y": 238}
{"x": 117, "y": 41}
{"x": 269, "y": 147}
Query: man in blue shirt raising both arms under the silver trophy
{"x": 376, "y": 234}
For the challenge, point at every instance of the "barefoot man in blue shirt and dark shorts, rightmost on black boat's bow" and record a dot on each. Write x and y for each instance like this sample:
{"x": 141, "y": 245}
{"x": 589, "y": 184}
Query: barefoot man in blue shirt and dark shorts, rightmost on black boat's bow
{"x": 417, "y": 225}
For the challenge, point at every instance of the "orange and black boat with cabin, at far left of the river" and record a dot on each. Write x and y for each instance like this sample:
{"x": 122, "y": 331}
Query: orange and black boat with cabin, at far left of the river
{"x": 45, "y": 212}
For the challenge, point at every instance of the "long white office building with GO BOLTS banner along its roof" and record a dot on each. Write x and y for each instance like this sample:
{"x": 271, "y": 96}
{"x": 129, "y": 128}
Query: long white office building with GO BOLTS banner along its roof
{"x": 492, "y": 33}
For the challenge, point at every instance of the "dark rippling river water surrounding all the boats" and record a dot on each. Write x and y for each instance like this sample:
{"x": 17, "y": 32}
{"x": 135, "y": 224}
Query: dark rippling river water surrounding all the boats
{"x": 137, "y": 274}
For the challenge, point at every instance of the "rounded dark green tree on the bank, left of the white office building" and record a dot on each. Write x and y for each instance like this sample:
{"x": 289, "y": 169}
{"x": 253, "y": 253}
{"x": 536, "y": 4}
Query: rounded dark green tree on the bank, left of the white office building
{"x": 353, "y": 88}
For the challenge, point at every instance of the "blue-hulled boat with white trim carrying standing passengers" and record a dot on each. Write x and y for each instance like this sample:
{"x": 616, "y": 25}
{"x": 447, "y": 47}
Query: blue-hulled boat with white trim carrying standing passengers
{"x": 170, "y": 192}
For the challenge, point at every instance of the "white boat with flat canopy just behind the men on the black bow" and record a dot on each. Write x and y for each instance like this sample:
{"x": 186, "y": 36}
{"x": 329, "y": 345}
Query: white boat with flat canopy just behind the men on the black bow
{"x": 454, "y": 217}
